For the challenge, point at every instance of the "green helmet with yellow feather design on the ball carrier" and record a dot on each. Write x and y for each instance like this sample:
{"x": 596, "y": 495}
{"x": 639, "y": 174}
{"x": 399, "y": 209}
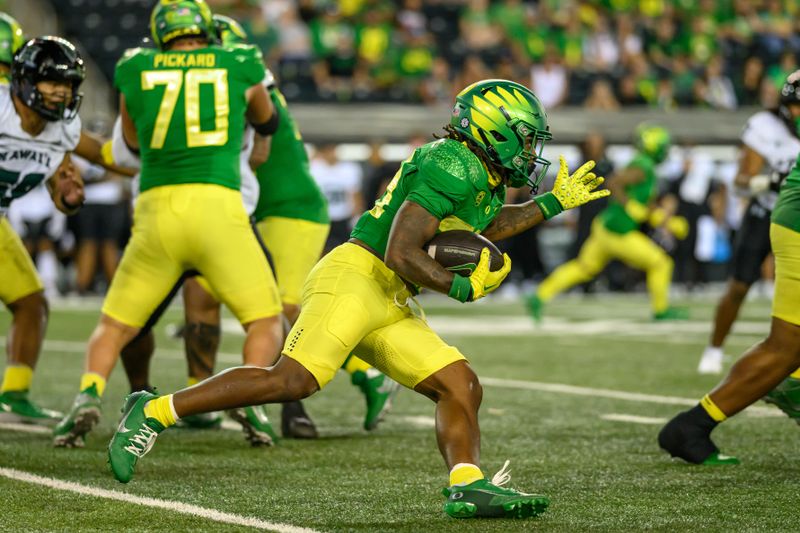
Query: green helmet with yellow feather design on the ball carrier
{"x": 507, "y": 121}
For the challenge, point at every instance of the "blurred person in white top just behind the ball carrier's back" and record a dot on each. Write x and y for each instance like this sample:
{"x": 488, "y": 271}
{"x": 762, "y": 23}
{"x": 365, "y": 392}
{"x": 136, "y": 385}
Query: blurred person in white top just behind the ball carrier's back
{"x": 340, "y": 182}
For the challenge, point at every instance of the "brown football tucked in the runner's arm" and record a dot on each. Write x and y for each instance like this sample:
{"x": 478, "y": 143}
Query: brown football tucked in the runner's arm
{"x": 459, "y": 251}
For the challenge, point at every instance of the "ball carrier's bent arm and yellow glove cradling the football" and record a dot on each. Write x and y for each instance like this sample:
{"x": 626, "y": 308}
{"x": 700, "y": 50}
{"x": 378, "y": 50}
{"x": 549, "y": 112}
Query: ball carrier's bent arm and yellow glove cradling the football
{"x": 413, "y": 226}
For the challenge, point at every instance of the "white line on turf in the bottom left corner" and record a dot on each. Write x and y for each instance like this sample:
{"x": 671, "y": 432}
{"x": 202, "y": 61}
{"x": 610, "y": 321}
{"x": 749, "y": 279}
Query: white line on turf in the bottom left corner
{"x": 169, "y": 505}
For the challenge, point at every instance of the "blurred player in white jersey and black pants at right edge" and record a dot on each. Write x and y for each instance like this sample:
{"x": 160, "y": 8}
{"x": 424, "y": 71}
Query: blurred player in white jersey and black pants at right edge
{"x": 770, "y": 145}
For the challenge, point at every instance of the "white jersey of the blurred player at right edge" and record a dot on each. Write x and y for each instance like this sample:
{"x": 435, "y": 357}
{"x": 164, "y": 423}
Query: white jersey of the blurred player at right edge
{"x": 766, "y": 134}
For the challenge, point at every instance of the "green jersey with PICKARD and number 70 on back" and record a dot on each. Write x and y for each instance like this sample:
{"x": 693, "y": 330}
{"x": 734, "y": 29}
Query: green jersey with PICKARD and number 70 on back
{"x": 189, "y": 111}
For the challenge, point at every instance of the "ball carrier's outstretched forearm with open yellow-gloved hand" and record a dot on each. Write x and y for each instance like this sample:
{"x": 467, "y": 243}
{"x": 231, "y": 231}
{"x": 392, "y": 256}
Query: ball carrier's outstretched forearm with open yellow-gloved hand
{"x": 569, "y": 191}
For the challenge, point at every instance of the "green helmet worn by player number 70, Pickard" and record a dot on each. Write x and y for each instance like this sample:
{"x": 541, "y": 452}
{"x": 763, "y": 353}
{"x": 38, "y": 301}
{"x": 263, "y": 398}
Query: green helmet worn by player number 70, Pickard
{"x": 172, "y": 19}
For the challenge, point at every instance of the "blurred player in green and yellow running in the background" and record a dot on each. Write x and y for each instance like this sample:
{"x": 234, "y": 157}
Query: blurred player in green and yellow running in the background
{"x": 615, "y": 231}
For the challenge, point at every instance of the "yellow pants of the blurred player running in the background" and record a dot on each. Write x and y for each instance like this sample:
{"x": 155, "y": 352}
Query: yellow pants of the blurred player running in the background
{"x": 634, "y": 249}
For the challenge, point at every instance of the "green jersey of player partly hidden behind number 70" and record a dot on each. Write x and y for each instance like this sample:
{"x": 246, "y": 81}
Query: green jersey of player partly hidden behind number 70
{"x": 287, "y": 188}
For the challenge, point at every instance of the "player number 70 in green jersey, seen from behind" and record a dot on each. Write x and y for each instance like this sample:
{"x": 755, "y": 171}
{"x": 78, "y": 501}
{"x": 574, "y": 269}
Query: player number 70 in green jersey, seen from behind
{"x": 184, "y": 107}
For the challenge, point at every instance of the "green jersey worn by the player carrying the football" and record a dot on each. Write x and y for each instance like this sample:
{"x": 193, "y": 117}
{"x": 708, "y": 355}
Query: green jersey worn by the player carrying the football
{"x": 445, "y": 178}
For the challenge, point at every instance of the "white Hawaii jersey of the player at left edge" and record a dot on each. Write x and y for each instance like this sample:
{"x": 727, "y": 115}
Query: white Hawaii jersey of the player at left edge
{"x": 26, "y": 161}
